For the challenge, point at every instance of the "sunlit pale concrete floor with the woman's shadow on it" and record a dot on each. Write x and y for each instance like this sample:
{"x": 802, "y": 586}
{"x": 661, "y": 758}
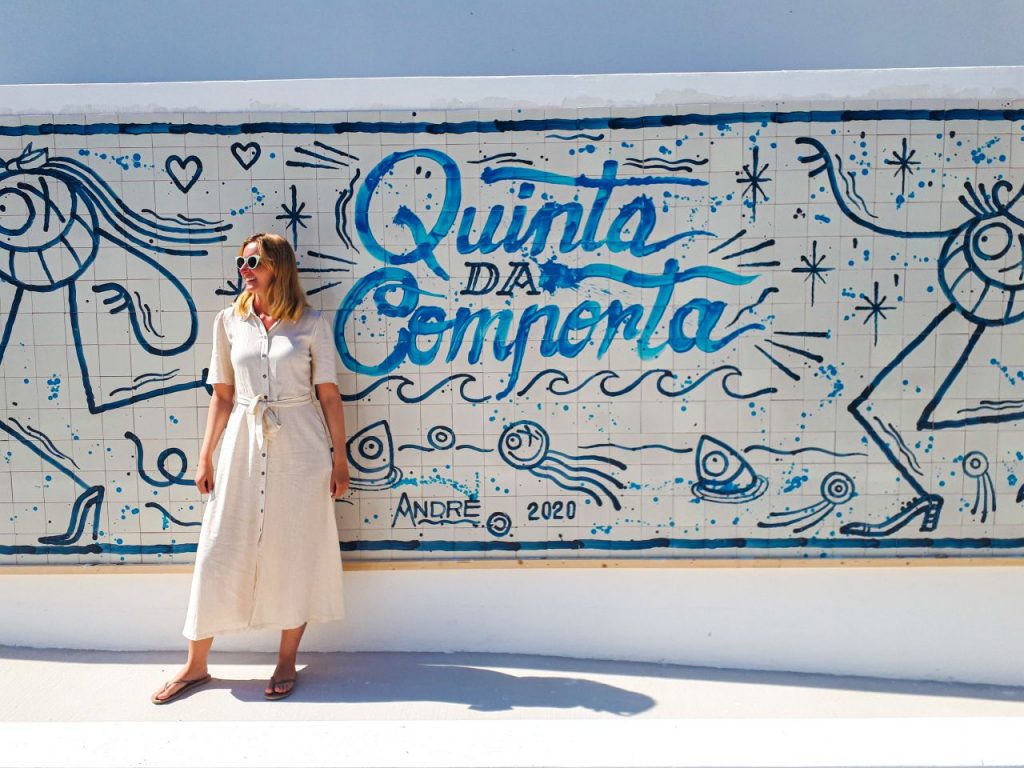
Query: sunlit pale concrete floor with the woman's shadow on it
{"x": 88, "y": 708}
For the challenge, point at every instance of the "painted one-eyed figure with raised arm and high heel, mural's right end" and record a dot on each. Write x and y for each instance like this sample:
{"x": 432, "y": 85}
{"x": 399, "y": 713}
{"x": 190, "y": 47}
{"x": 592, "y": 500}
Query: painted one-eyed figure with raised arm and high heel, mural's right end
{"x": 982, "y": 276}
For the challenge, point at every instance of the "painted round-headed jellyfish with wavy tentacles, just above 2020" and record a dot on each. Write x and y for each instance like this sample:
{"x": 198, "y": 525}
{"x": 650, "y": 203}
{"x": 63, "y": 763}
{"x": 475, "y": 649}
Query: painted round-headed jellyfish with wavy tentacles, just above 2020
{"x": 527, "y": 446}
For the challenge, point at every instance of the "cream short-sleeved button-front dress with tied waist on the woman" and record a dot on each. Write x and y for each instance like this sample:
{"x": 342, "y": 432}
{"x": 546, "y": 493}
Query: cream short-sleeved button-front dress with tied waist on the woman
{"x": 269, "y": 556}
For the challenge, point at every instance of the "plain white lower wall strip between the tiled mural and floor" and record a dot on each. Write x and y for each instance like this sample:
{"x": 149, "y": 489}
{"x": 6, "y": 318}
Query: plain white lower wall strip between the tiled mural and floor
{"x": 943, "y": 623}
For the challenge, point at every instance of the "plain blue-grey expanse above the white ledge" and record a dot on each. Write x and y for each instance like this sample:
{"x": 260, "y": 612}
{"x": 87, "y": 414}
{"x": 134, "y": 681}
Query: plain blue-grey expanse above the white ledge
{"x": 74, "y": 41}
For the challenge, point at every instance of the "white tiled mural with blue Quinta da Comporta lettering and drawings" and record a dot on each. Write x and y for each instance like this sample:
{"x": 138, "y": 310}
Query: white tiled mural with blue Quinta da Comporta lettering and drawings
{"x": 788, "y": 333}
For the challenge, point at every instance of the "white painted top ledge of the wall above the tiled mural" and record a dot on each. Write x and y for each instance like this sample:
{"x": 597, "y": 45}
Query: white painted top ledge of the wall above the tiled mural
{"x": 547, "y": 92}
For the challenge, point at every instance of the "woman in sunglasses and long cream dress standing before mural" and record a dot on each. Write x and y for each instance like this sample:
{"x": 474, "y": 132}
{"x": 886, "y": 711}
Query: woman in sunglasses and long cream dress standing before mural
{"x": 269, "y": 552}
